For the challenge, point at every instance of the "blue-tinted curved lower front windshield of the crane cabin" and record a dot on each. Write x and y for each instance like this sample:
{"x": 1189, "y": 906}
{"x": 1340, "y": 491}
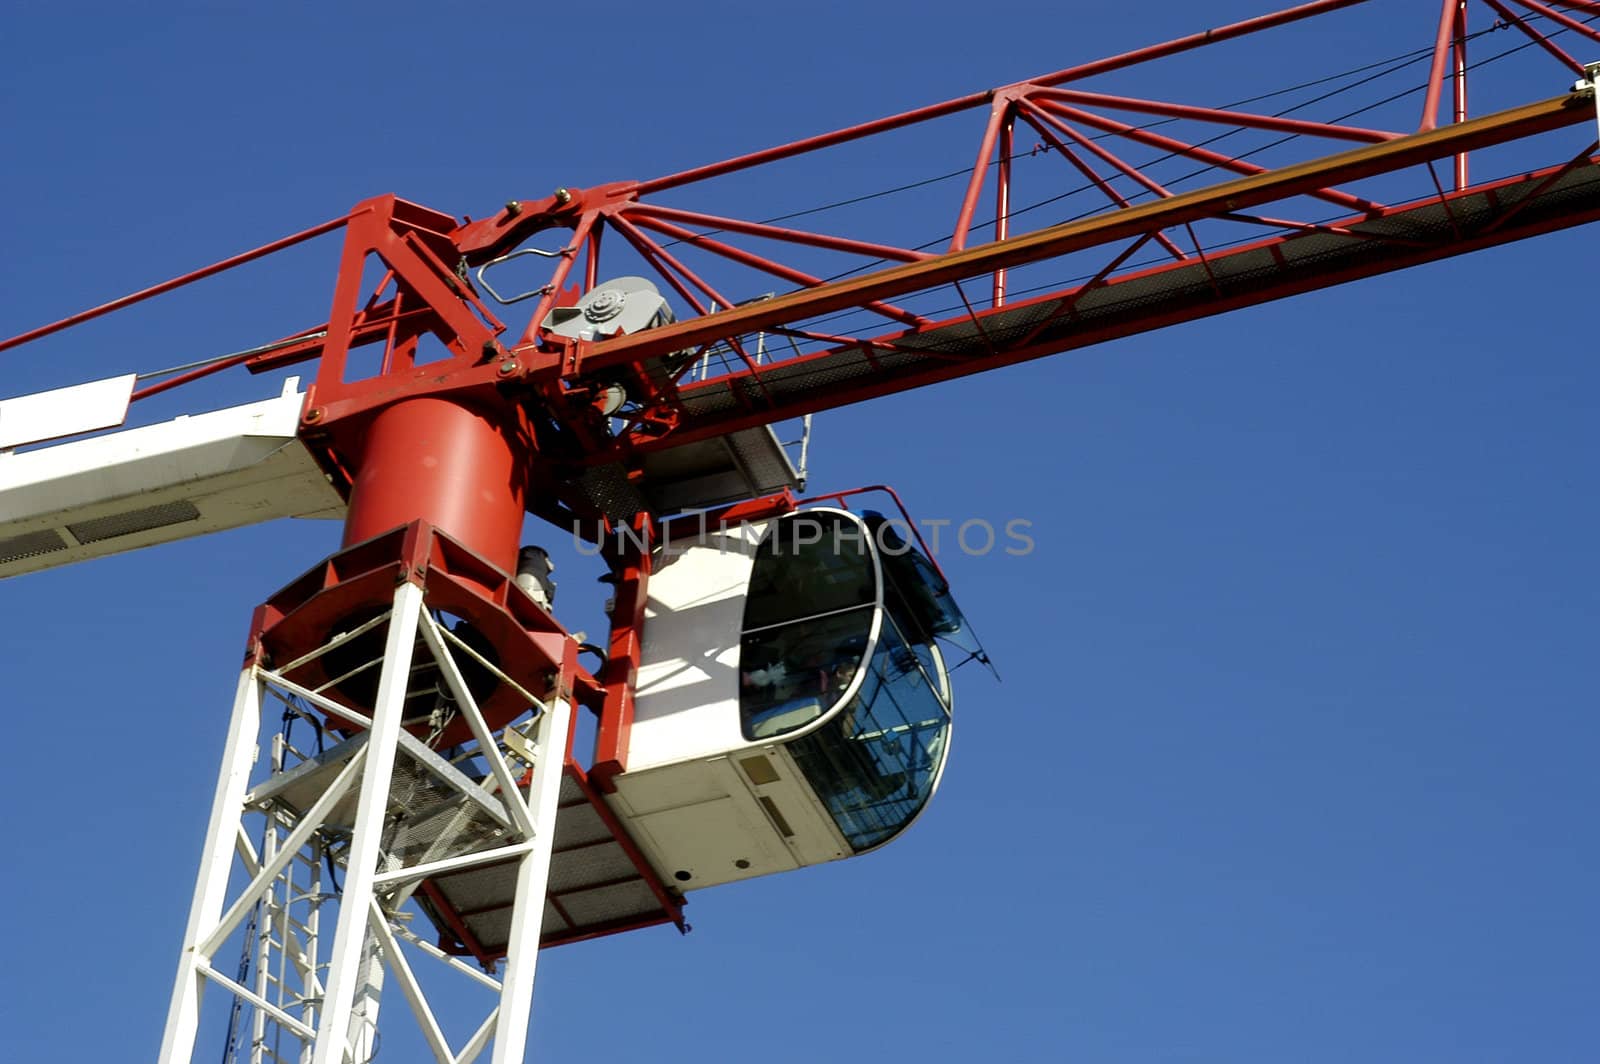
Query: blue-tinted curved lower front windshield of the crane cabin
{"x": 876, "y": 764}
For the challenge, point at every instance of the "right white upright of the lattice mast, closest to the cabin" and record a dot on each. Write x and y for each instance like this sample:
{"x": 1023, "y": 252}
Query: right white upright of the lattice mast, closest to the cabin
{"x": 534, "y": 874}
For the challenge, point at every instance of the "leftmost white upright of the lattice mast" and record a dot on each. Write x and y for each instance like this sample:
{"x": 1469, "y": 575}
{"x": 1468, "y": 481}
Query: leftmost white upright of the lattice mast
{"x": 217, "y": 863}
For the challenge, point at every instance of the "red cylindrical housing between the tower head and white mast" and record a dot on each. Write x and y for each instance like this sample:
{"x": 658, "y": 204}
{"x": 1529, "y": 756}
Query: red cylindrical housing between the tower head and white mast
{"x": 449, "y": 465}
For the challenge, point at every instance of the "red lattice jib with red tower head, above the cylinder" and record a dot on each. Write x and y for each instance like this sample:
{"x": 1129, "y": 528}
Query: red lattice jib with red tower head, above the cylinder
{"x": 1297, "y": 202}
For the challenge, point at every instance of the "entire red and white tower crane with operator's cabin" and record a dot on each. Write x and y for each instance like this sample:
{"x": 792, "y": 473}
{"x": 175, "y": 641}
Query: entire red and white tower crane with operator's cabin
{"x": 402, "y": 783}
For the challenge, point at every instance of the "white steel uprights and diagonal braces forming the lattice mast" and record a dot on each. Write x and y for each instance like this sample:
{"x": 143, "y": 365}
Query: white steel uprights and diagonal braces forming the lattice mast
{"x": 321, "y": 991}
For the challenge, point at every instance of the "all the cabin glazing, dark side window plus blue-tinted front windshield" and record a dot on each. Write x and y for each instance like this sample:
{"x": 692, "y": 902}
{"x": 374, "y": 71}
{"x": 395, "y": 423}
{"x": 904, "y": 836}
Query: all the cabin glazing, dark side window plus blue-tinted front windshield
{"x": 814, "y": 612}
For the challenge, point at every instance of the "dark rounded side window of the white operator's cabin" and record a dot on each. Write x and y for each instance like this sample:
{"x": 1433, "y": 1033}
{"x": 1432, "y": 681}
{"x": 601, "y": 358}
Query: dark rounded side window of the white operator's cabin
{"x": 807, "y": 622}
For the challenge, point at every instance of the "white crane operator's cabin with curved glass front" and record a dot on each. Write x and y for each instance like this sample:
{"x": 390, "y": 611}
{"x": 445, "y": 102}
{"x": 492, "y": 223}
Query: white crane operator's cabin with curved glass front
{"x": 793, "y": 705}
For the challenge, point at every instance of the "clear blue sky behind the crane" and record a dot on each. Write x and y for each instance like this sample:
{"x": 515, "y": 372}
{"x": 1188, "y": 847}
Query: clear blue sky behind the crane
{"x": 1294, "y": 753}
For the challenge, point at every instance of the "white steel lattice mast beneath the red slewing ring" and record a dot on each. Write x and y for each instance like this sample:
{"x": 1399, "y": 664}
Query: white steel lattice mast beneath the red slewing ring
{"x": 346, "y": 836}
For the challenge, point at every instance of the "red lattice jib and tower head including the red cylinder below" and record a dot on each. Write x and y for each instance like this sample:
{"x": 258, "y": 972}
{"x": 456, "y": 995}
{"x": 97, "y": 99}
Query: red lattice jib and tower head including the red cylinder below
{"x": 577, "y": 418}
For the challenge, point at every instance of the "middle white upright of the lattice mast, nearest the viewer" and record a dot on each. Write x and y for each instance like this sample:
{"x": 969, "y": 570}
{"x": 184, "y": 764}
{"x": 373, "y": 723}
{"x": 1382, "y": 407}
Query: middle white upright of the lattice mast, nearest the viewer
{"x": 350, "y": 937}
